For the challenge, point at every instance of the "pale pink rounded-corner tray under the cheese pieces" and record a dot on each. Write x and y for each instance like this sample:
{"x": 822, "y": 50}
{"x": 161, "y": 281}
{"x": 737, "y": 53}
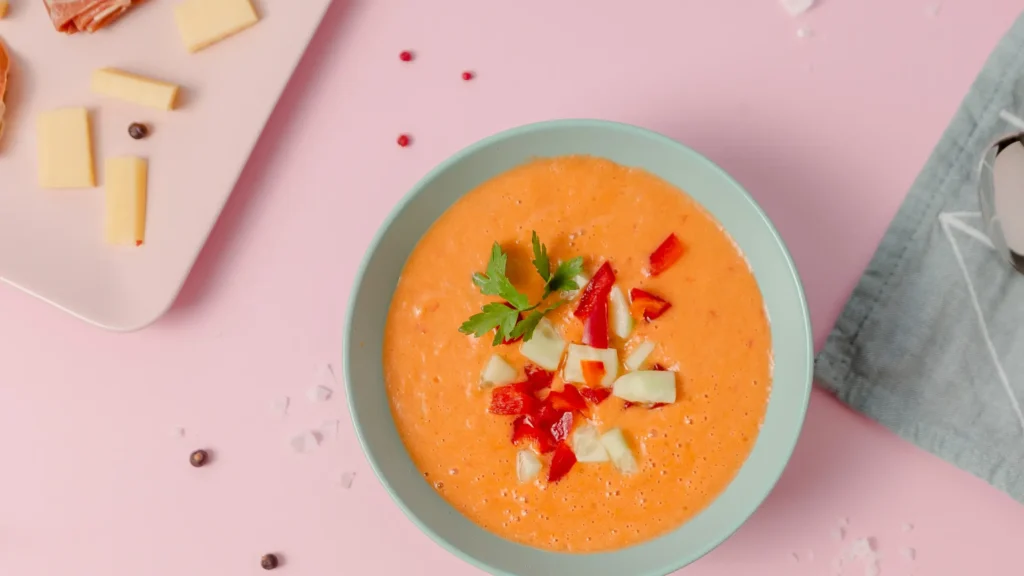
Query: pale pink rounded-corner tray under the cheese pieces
{"x": 52, "y": 241}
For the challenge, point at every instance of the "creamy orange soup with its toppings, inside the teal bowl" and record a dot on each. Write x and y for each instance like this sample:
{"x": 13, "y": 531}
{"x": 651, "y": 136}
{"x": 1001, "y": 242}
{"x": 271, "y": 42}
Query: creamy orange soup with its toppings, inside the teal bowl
{"x": 630, "y": 407}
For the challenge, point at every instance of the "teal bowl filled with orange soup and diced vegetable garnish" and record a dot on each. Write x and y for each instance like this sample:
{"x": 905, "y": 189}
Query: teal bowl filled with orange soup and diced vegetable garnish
{"x": 578, "y": 348}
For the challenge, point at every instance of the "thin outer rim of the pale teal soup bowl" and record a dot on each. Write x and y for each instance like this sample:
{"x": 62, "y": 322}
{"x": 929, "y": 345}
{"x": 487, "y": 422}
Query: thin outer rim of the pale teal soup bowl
{"x": 790, "y": 443}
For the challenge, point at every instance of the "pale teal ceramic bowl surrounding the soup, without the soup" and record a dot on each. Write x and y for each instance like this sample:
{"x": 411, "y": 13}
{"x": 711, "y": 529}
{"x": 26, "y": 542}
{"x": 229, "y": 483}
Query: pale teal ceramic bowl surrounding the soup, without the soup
{"x": 630, "y": 146}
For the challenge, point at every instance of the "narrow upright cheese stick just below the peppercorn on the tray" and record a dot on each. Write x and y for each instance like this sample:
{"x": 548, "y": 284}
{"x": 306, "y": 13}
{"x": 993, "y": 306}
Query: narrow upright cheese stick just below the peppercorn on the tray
{"x": 126, "y": 195}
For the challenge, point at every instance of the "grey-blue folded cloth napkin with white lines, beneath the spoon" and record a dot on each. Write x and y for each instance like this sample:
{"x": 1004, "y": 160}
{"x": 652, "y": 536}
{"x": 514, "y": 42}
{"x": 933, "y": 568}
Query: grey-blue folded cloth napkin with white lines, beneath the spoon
{"x": 931, "y": 344}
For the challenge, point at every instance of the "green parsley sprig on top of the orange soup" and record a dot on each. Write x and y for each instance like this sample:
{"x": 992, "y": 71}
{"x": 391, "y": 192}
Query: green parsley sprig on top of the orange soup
{"x": 504, "y": 319}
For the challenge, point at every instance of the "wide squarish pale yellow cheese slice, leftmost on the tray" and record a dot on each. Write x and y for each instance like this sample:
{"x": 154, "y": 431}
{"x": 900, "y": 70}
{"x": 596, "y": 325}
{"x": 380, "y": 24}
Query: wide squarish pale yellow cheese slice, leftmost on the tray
{"x": 65, "y": 149}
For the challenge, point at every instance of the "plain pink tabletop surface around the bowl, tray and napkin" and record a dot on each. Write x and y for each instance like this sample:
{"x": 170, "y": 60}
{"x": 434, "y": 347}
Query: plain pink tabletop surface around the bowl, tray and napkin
{"x": 828, "y": 133}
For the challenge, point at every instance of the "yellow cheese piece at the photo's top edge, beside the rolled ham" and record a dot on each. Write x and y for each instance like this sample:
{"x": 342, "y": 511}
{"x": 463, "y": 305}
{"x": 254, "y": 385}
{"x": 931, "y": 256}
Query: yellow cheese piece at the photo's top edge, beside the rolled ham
{"x": 202, "y": 23}
